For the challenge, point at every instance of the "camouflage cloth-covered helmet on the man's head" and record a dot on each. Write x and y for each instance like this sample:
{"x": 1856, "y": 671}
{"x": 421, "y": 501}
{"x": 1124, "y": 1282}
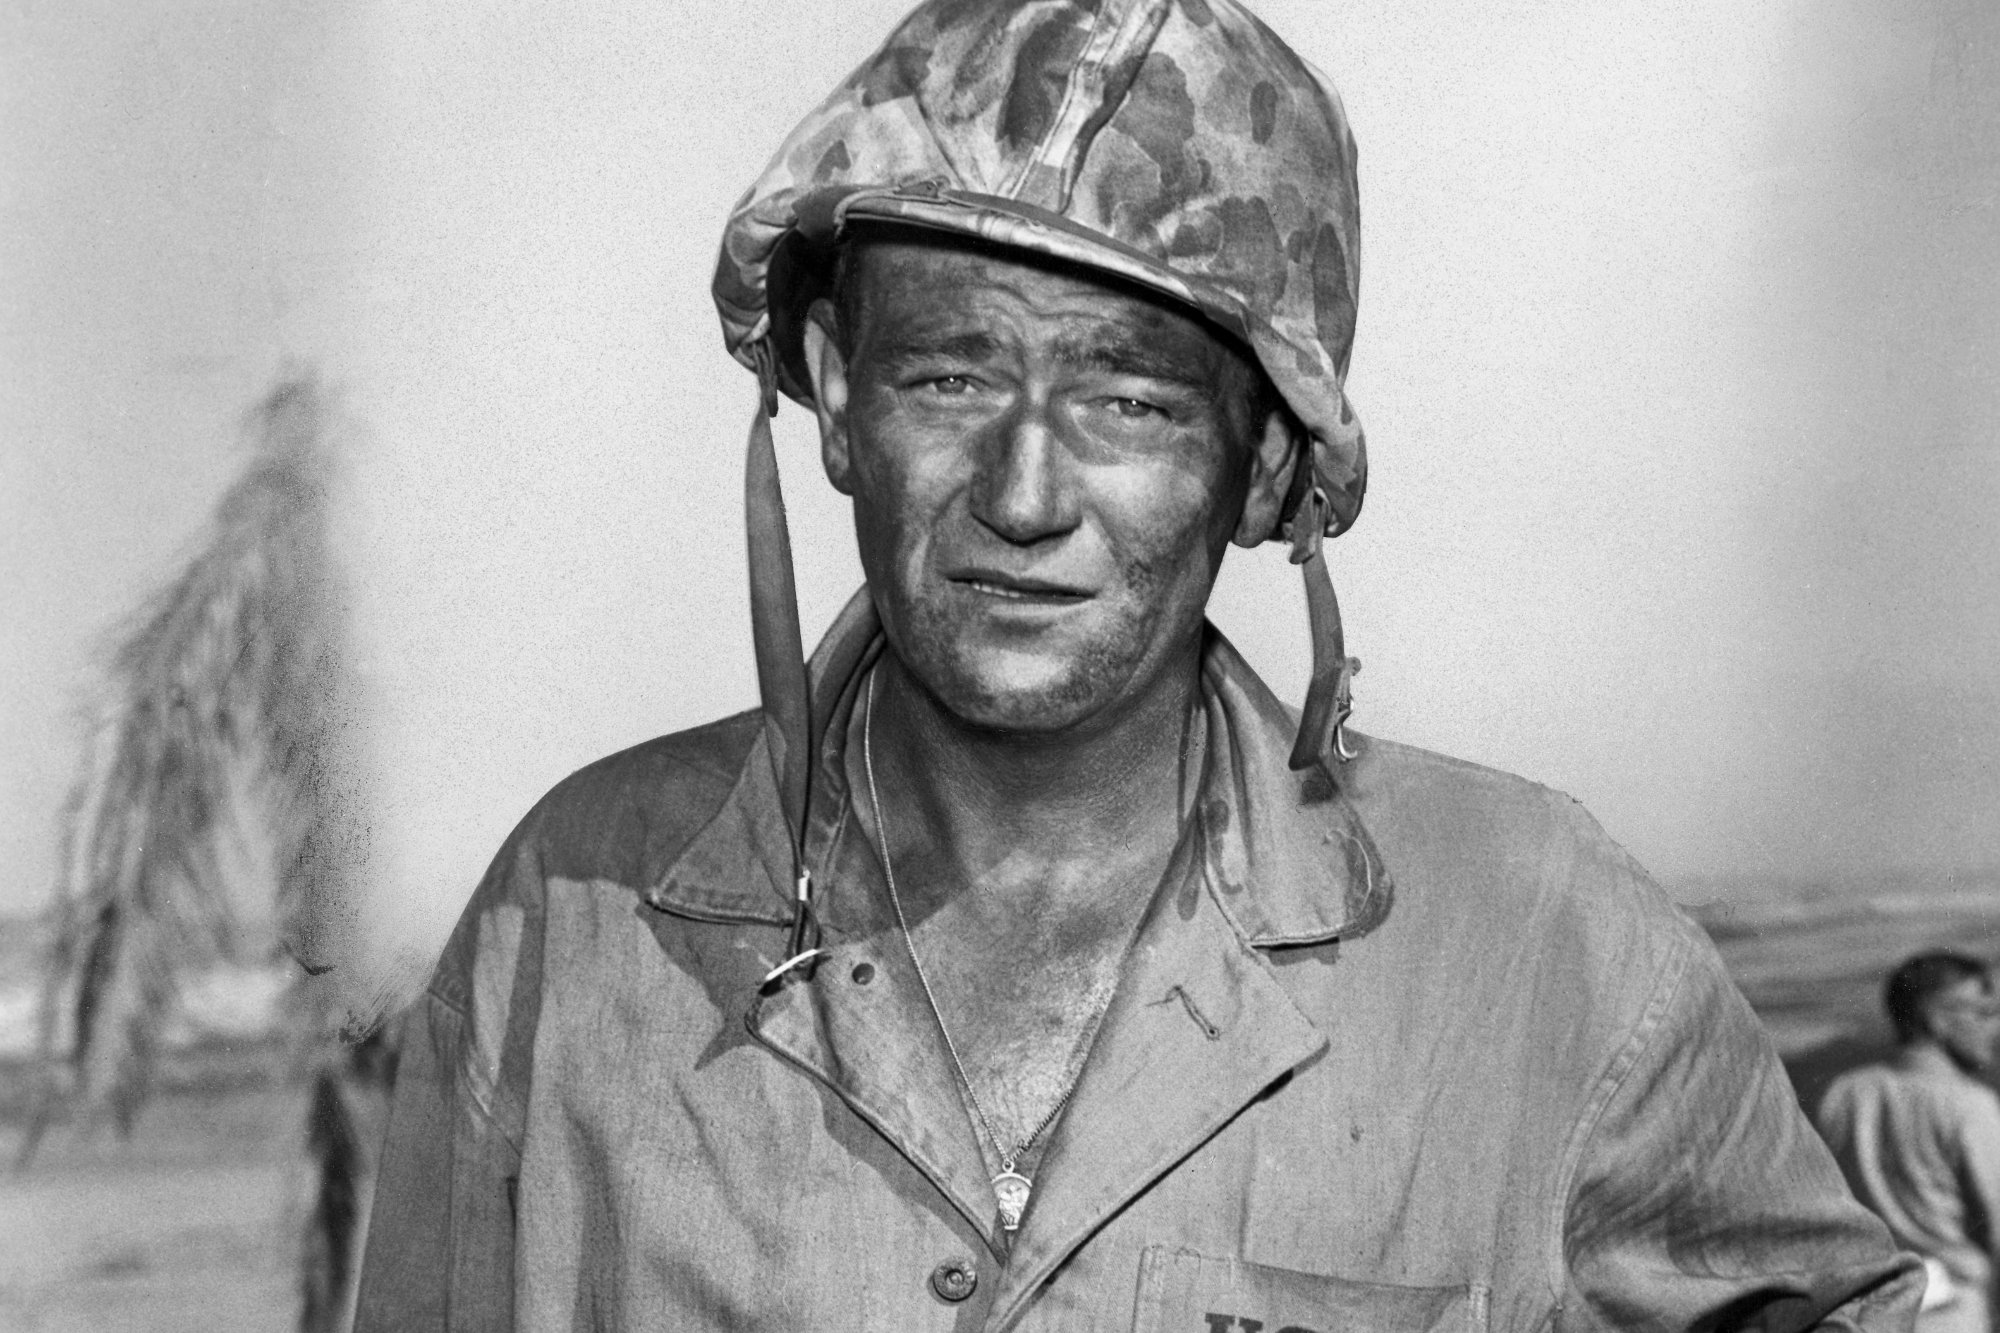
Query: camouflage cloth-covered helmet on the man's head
{"x": 1175, "y": 143}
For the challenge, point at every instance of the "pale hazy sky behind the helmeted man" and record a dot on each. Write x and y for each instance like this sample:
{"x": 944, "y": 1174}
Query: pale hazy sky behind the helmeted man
{"x": 1679, "y": 357}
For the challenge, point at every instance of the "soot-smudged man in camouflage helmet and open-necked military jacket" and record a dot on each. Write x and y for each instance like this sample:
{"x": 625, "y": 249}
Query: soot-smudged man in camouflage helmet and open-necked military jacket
{"x": 1033, "y": 968}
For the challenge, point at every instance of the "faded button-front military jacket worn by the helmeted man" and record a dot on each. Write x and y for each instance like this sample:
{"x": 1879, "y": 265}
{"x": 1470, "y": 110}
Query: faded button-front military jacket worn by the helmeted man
{"x": 1413, "y": 1048}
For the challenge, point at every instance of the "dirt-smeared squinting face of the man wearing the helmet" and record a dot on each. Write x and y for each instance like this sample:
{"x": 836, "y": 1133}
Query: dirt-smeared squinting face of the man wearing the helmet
{"x": 1045, "y": 475}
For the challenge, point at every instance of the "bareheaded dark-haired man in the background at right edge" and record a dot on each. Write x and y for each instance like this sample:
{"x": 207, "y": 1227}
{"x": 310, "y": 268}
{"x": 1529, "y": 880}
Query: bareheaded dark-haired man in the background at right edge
{"x": 1919, "y": 1136}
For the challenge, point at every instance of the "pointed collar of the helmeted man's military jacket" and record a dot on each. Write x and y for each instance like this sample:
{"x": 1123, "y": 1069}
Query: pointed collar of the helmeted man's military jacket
{"x": 1287, "y": 858}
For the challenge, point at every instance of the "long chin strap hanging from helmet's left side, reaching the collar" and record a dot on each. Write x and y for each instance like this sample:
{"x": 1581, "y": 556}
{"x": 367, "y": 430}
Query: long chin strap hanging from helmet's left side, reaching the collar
{"x": 781, "y": 665}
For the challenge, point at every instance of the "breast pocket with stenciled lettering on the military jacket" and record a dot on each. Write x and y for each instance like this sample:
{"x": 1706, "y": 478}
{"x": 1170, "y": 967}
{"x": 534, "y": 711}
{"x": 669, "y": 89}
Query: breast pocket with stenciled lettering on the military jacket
{"x": 1181, "y": 1292}
